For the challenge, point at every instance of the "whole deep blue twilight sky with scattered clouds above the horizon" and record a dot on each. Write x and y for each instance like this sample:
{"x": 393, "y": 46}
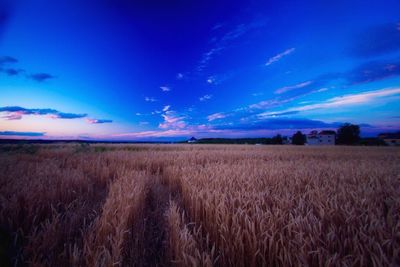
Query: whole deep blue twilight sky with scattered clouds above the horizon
{"x": 149, "y": 70}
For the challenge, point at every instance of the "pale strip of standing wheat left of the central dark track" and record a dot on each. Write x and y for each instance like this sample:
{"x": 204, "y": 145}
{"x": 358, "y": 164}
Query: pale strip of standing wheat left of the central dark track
{"x": 105, "y": 242}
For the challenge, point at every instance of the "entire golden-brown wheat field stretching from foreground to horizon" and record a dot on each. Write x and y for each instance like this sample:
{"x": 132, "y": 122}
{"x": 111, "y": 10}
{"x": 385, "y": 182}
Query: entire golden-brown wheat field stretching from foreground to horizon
{"x": 199, "y": 205}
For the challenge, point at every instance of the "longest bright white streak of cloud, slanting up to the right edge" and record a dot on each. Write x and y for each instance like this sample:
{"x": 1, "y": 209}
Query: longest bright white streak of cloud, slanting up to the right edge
{"x": 336, "y": 102}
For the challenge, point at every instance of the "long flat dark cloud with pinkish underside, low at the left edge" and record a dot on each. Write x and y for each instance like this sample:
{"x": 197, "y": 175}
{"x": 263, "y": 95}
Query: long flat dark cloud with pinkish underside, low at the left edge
{"x": 16, "y": 113}
